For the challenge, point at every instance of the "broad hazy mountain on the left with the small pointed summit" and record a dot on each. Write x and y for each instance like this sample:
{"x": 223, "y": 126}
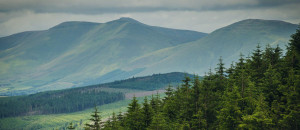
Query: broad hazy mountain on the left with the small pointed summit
{"x": 80, "y": 53}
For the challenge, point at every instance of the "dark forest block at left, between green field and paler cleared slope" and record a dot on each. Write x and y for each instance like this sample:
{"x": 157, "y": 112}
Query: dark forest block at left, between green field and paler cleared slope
{"x": 60, "y": 101}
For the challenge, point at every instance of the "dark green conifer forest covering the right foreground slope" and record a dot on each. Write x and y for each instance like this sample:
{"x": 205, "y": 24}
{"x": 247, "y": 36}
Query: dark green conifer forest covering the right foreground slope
{"x": 257, "y": 92}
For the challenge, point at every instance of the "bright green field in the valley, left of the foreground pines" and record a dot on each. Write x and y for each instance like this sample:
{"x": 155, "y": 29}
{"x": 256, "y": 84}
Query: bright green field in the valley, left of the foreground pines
{"x": 59, "y": 121}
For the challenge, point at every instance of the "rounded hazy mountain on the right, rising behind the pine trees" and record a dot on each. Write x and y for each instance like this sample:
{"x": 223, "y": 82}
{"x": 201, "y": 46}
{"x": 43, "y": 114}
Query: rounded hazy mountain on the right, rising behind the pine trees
{"x": 228, "y": 42}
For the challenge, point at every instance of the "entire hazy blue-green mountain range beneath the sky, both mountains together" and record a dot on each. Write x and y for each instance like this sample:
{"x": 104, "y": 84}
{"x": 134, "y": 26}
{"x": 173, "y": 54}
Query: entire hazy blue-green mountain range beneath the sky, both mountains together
{"x": 82, "y": 53}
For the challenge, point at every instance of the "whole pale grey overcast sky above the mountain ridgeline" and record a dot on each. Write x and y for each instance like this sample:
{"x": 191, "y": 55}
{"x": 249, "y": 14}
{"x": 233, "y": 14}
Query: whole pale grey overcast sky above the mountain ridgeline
{"x": 199, "y": 15}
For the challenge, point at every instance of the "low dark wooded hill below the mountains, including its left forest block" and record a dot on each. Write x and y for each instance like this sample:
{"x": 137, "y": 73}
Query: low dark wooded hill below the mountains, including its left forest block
{"x": 77, "y": 99}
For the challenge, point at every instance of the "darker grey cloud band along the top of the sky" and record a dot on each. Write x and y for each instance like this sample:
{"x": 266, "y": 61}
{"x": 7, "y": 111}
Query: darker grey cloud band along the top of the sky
{"x": 123, "y": 6}
